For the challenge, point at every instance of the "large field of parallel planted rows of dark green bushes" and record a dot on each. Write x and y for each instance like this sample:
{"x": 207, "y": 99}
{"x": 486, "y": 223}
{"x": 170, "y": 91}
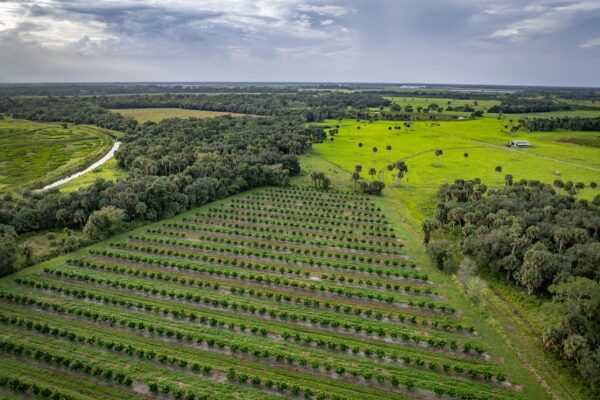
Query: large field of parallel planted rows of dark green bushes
{"x": 277, "y": 293}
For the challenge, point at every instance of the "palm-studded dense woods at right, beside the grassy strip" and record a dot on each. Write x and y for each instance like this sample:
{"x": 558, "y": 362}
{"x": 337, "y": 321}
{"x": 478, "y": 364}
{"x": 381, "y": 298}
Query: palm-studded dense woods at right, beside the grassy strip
{"x": 545, "y": 241}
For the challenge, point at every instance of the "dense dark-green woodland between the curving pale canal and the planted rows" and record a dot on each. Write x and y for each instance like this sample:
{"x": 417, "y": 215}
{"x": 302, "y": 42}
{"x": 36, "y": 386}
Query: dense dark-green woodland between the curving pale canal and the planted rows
{"x": 173, "y": 166}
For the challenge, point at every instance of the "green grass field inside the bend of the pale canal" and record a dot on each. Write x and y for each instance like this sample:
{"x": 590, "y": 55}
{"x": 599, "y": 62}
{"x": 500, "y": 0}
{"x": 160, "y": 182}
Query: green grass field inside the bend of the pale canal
{"x": 34, "y": 154}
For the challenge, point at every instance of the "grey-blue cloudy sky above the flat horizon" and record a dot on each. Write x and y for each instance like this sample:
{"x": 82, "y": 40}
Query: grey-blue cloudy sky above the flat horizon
{"x": 545, "y": 42}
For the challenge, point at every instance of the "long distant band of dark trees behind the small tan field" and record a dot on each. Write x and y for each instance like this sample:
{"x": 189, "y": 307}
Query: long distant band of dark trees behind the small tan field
{"x": 308, "y": 106}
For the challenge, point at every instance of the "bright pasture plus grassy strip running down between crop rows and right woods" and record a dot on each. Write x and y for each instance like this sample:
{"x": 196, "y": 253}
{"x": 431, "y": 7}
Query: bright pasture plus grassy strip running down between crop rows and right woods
{"x": 512, "y": 322}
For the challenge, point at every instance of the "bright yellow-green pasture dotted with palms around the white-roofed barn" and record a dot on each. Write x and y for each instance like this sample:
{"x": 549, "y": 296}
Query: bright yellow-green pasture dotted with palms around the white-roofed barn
{"x": 553, "y": 155}
